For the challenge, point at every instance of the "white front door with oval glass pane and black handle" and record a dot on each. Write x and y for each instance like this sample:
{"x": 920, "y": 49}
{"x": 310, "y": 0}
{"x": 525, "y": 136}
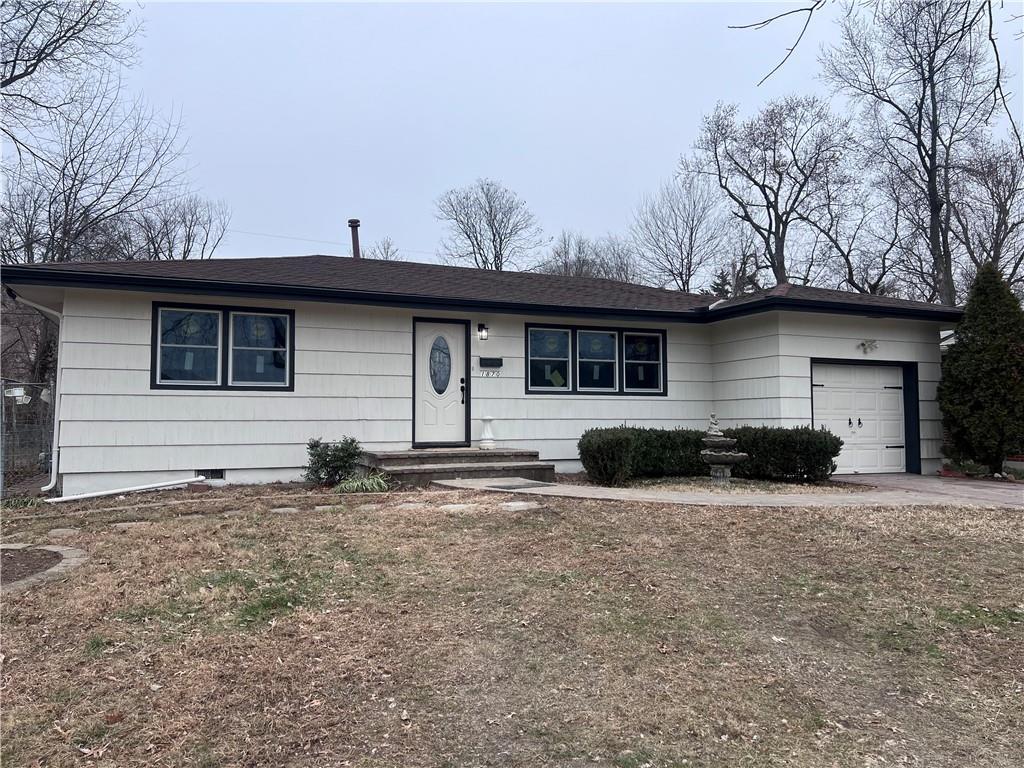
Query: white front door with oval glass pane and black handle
{"x": 441, "y": 388}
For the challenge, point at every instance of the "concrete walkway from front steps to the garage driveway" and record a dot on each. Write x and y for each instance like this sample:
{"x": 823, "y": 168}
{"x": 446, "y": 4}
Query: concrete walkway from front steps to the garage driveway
{"x": 889, "y": 491}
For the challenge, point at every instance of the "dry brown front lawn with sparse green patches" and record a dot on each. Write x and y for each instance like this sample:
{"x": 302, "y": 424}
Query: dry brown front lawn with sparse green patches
{"x": 582, "y": 633}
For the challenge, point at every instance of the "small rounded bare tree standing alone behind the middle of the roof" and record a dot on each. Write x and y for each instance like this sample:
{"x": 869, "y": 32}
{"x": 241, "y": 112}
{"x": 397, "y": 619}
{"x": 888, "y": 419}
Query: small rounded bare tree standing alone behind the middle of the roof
{"x": 490, "y": 227}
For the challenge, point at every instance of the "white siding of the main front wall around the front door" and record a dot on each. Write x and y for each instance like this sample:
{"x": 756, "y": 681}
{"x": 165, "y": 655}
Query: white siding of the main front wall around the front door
{"x": 353, "y": 377}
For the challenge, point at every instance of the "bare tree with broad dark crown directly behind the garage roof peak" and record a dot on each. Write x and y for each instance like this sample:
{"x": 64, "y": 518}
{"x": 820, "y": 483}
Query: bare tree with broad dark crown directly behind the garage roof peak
{"x": 770, "y": 166}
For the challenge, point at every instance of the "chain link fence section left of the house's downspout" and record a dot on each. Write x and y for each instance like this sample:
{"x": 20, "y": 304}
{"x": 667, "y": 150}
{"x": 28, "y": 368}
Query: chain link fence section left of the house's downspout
{"x": 28, "y": 437}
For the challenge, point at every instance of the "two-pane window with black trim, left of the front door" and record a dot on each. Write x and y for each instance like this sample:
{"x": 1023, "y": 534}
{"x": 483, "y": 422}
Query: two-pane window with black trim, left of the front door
{"x": 212, "y": 348}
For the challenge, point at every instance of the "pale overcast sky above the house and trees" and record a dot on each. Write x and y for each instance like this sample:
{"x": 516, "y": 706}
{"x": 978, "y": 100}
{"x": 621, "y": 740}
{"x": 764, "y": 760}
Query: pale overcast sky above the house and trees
{"x": 302, "y": 116}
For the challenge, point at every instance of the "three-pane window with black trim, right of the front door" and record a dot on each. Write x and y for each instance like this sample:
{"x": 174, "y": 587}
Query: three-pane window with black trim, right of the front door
{"x": 594, "y": 361}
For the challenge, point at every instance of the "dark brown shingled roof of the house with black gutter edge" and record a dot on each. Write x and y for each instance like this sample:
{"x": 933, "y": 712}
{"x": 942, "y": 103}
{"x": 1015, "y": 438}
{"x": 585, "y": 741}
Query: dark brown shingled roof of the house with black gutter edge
{"x": 415, "y": 285}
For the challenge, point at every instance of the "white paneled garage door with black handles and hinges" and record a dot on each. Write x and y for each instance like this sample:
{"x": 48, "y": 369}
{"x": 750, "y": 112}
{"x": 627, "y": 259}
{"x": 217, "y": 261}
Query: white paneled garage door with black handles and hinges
{"x": 864, "y": 405}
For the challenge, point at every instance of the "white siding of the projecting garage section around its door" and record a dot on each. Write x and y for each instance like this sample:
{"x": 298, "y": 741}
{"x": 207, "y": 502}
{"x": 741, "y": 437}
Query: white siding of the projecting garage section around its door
{"x": 762, "y": 366}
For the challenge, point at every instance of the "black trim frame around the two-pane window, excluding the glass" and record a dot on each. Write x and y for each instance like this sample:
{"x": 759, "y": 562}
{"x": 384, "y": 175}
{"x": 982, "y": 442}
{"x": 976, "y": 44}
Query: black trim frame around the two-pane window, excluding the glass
{"x": 224, "y": 383}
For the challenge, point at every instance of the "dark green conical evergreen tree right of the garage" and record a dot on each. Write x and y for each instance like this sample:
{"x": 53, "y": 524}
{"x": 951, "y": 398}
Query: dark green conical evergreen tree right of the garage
{"x": 983, "y": 390}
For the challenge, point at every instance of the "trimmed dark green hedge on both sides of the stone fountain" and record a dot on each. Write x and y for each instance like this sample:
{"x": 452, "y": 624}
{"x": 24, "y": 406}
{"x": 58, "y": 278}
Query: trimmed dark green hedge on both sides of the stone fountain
{"x": 615, "y": 456}
